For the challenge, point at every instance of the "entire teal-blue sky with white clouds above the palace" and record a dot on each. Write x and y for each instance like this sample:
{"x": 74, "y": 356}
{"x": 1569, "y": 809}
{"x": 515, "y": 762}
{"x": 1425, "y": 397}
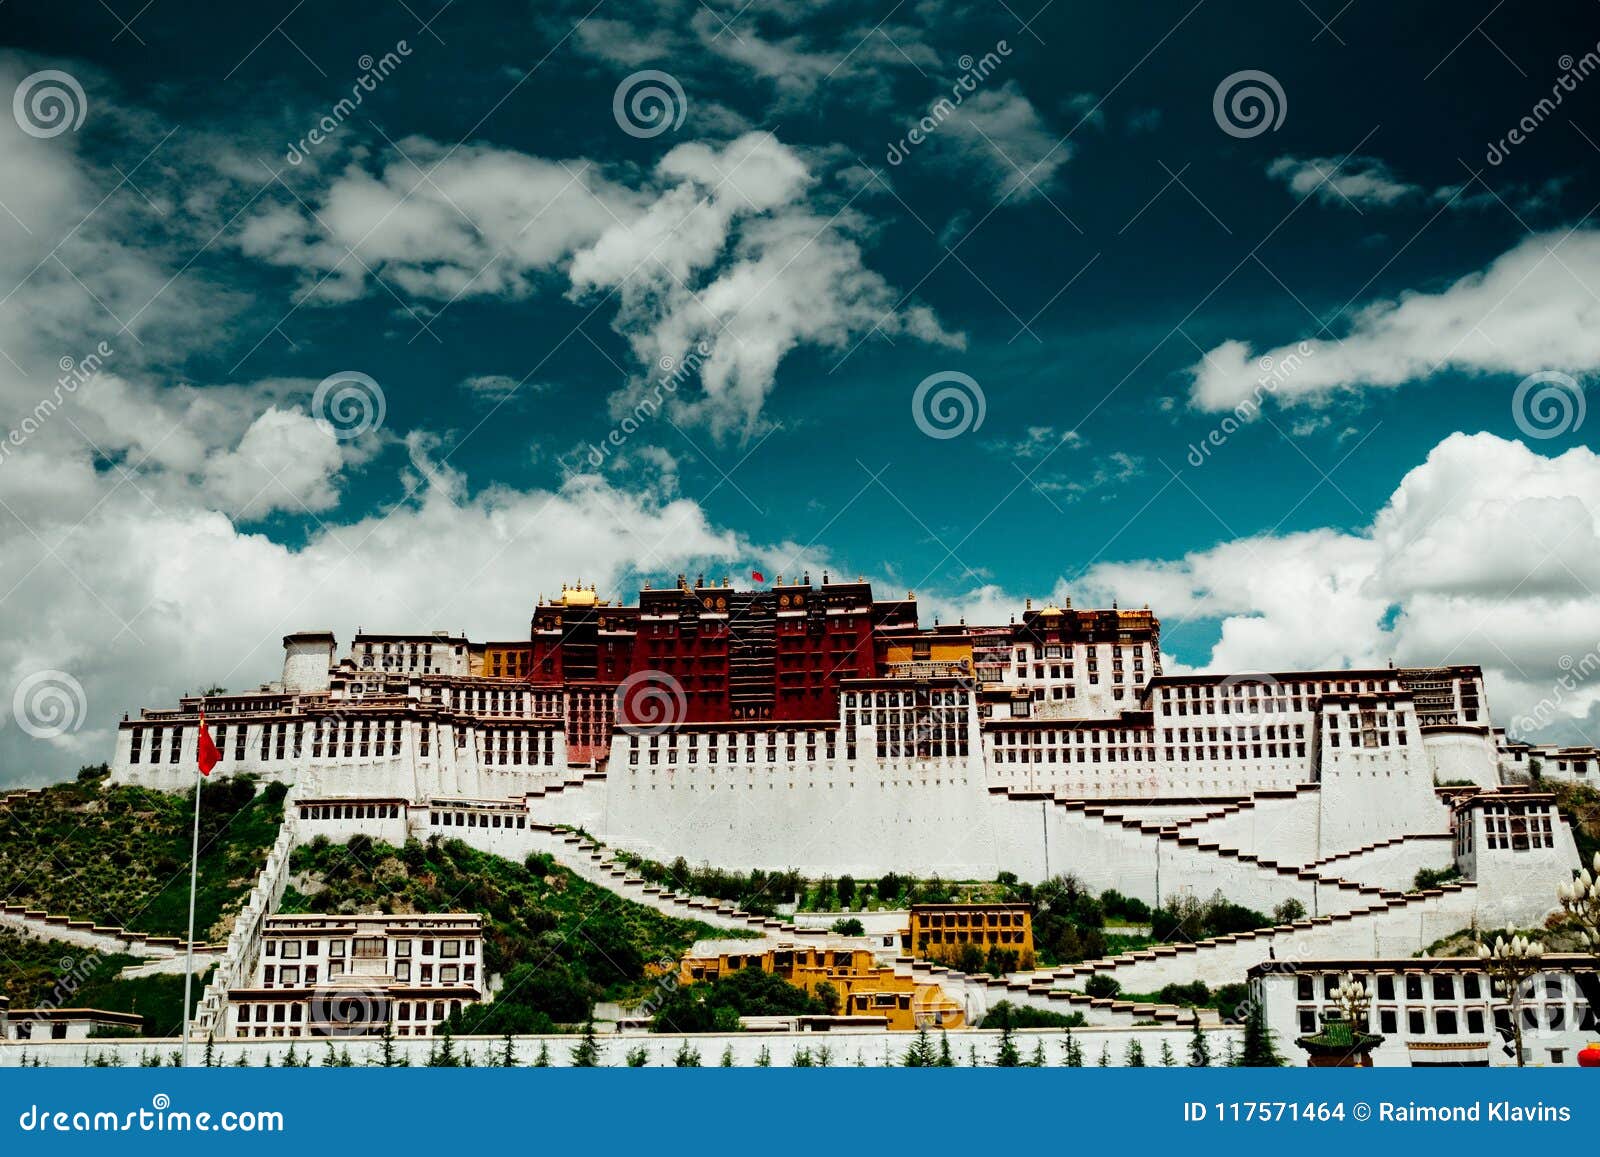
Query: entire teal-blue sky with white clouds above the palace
{"x": 1094, "y": 236}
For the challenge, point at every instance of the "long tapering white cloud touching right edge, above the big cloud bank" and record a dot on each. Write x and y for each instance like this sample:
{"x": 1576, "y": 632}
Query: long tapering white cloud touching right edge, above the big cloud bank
{"x": 1530, "y": 310}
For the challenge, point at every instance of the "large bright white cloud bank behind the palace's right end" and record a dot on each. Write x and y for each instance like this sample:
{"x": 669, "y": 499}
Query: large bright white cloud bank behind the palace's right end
{"x": 1487, "y": 553}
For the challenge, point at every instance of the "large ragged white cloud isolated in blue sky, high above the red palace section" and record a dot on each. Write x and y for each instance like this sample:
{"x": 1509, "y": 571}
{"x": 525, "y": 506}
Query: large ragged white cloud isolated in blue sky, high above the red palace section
{"x": 722, "y": 246}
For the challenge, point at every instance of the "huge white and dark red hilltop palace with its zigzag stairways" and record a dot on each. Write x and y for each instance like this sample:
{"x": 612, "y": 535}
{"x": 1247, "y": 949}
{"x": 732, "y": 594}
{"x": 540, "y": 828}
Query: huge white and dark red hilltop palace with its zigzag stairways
{"x": 817, "y": 727}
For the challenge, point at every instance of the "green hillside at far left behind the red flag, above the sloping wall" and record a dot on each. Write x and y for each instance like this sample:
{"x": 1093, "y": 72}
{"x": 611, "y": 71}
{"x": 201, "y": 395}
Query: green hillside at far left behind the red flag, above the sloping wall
{"x": 121, "y": 855}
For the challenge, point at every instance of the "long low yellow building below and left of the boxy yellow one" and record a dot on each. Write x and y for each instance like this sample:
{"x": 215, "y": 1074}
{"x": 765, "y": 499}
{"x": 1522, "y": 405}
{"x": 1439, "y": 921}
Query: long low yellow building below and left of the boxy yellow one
{"x": 865, "y": 987}
